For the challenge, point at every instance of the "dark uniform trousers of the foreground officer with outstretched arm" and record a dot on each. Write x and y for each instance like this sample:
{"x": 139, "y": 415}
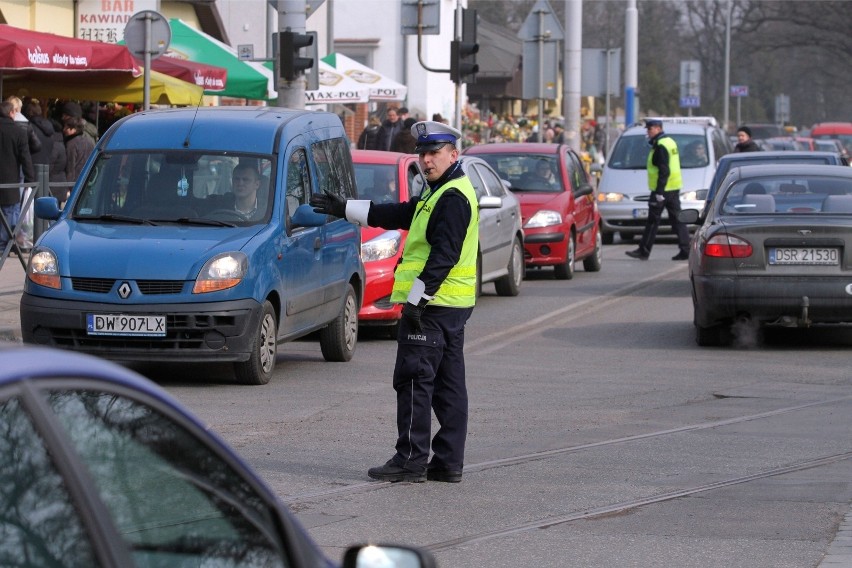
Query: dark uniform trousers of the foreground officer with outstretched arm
{"x": 430, "y": 375}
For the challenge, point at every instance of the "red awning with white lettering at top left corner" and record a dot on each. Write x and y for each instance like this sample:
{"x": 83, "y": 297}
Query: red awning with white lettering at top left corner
{"x": 27, "y": 51}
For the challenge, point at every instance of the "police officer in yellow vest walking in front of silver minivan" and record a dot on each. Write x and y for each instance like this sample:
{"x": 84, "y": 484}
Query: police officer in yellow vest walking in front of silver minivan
{"x": 665, "y": 183}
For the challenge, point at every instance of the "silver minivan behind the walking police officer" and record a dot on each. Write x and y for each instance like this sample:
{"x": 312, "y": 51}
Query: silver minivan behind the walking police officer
{"x": 623, "y": 191}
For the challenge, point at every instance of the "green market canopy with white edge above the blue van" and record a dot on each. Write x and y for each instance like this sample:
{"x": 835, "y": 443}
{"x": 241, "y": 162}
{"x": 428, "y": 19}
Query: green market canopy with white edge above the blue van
{"x": 245, "y": 79}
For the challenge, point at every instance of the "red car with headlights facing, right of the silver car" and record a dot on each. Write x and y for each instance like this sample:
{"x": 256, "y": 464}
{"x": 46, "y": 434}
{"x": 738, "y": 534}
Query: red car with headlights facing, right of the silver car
{"x": 560, "y": 217}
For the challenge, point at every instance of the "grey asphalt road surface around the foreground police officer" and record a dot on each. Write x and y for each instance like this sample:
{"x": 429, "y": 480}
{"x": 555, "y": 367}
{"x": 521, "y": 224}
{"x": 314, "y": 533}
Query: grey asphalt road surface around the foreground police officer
{"x": 600, "y": 435}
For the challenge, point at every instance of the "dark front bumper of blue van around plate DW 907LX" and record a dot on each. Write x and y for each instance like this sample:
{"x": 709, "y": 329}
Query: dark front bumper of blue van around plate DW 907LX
{"x": 205, "y": 332}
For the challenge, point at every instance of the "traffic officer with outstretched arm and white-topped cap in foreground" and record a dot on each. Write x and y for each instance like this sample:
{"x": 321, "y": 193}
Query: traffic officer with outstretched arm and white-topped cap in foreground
{"x": 436, "y": 281}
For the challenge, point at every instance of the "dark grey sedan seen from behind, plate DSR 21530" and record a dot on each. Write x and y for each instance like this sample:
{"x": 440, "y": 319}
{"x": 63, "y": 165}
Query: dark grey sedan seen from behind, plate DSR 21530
{"x": 775, "y": 248}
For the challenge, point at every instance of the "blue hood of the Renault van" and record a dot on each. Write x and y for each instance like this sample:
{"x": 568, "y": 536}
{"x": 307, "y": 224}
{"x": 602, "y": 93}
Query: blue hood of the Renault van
{"x": 108, "y": 250}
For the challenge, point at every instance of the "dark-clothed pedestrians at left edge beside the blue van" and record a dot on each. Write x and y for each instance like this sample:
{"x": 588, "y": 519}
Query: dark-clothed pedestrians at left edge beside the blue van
{"x": 28, "y": 138}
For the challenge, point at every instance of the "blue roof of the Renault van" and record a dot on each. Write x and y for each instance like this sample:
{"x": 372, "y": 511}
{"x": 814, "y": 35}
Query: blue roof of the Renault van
{"x": 236, "y": 129}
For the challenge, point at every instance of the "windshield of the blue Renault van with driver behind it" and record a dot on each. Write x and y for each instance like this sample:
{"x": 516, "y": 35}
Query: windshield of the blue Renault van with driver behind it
{"x": 183, "y": 186}
